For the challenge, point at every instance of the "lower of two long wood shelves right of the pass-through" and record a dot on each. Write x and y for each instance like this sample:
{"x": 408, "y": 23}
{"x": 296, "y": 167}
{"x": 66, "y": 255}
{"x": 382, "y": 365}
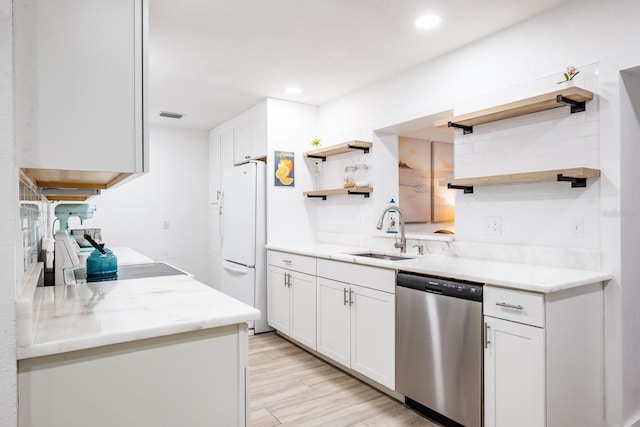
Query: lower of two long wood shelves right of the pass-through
{"x": 577, "y": 177}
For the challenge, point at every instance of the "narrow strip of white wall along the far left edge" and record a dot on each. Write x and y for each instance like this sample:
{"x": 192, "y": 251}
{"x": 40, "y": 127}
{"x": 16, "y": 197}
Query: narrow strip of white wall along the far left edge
{"x": 8, "y": 218}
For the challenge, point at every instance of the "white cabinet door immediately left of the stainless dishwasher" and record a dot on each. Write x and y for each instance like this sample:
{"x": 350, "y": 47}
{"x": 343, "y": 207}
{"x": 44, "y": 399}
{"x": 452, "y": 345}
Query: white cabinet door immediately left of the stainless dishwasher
{"x": 373, "y": 334}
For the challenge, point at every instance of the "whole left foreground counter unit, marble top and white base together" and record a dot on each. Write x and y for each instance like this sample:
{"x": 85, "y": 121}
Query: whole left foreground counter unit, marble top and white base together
{"x": 146, "y": 352}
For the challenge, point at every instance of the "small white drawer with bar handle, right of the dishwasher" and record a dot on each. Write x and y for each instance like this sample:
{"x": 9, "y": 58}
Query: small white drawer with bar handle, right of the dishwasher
{"x": 518, "y": 306}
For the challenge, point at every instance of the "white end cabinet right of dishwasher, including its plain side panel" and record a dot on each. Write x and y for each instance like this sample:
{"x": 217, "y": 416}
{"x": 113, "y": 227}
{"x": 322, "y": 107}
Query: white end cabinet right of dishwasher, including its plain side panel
{"x": 543, "y": 358}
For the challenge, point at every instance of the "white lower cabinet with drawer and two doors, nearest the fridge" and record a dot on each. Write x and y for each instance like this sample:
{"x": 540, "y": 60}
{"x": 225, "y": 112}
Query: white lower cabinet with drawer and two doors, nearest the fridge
{"x": 291, "y": 296}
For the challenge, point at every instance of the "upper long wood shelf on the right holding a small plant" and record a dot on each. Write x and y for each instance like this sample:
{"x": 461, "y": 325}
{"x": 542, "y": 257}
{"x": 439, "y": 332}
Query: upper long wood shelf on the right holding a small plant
{"x": 575, "y": 97}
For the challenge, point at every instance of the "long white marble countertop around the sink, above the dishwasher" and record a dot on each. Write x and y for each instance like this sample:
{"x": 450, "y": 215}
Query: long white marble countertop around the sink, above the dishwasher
{"x": 529, "y": 277}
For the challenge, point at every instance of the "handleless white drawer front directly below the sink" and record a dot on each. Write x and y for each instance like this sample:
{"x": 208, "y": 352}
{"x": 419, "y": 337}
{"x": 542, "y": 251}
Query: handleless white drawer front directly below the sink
{"x": 381, "y": 279}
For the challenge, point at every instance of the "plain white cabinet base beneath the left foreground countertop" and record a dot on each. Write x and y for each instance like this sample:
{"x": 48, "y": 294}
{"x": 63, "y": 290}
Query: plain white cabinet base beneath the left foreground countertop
{"x": 194, "y": 379}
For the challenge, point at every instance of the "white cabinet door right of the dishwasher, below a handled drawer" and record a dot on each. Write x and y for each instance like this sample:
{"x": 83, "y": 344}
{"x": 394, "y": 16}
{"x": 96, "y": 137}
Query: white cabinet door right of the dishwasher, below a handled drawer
{"x": 514, "y": 375}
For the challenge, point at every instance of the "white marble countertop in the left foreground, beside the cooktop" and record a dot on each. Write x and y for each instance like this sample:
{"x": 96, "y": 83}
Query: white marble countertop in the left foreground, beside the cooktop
{"x": 75, "y": 317}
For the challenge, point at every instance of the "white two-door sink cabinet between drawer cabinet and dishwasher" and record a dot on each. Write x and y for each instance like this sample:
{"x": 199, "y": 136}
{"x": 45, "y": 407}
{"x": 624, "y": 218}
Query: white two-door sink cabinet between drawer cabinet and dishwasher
{"x": 356, "y": 323}
